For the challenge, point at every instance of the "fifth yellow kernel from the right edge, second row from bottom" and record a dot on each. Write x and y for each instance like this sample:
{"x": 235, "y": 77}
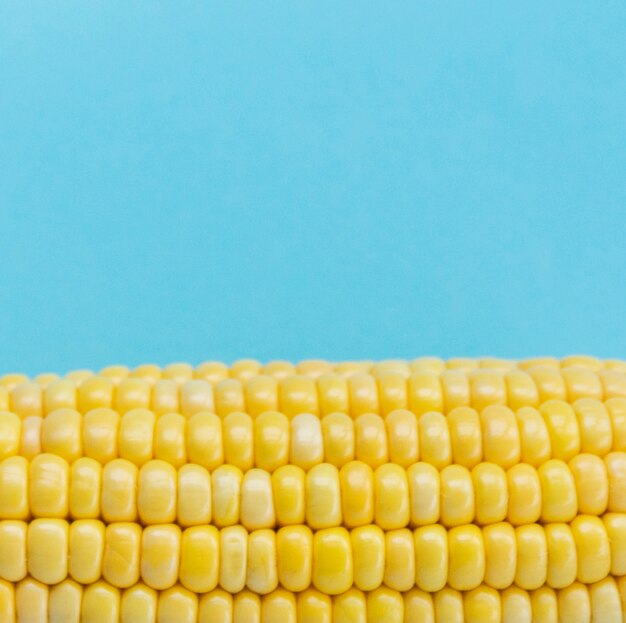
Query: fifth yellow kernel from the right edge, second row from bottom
{"x": 500, "y": 555}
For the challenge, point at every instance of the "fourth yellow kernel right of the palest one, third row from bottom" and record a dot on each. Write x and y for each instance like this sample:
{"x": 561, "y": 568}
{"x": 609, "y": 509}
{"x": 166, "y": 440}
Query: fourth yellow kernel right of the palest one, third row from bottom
{"x": 392, "y": 507}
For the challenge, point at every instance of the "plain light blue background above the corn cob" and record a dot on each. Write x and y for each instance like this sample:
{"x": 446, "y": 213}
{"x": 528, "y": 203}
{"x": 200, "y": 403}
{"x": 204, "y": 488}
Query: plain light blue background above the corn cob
{"x": 215, "y": 180}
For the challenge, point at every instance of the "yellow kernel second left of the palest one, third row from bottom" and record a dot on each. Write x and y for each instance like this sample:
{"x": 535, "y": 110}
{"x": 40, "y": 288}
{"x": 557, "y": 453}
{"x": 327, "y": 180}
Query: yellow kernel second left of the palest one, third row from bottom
{"x": 193, "y": 505}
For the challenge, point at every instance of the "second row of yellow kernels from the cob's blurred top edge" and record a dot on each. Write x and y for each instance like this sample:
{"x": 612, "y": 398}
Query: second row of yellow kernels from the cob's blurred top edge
{"x": 357, "y": 394}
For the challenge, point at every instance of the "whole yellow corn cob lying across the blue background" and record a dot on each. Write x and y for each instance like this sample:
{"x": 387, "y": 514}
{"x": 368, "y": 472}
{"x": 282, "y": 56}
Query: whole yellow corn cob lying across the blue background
{"x": 466, "y": 490}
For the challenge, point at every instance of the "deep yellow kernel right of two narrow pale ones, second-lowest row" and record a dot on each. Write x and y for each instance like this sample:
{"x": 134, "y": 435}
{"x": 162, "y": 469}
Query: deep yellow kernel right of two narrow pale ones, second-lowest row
{"x": 294, "y": 547}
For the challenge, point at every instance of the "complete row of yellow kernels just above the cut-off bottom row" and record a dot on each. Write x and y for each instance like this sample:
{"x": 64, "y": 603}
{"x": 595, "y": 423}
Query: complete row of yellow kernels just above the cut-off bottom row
{"x": 332, "y": 560}
